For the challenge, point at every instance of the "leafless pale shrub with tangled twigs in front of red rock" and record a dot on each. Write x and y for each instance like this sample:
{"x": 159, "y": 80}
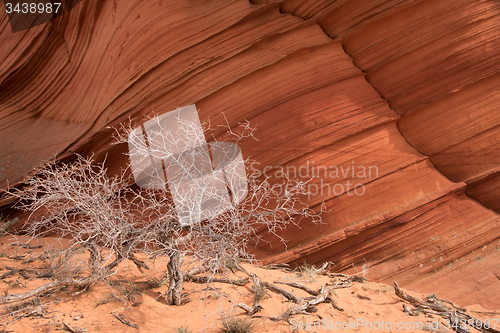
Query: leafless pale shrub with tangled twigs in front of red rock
{"x": 194, "y": 204}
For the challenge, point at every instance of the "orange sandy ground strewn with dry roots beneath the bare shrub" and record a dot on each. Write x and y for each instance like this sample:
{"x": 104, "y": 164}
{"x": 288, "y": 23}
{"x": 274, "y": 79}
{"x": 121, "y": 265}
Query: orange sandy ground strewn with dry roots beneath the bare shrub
{"x": 137, "y": 298}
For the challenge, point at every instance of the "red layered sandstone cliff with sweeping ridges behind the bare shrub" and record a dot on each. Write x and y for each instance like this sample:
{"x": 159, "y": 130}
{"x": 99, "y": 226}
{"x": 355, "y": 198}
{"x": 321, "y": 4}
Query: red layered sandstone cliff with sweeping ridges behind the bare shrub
{"x": 411, "y": 87}
